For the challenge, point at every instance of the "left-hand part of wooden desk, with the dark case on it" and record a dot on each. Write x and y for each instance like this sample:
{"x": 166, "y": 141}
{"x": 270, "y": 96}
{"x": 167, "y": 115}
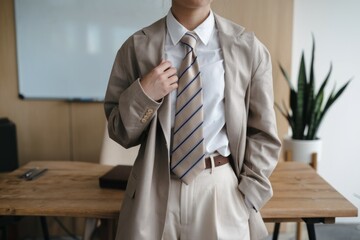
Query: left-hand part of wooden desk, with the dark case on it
{"x": 66, "y": 189}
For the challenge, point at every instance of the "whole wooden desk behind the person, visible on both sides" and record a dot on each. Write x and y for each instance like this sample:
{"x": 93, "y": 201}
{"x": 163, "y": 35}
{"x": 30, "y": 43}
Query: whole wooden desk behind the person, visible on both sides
{"x": 71, "y": 189}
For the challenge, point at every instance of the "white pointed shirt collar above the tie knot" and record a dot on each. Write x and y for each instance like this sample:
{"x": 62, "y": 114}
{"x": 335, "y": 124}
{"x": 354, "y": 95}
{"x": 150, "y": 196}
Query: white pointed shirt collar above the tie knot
{"x": 177, "y": 31}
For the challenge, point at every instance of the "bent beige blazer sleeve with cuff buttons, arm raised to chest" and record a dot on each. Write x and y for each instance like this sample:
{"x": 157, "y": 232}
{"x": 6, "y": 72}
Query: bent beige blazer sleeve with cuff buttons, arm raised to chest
{"x": 127, "y": 108}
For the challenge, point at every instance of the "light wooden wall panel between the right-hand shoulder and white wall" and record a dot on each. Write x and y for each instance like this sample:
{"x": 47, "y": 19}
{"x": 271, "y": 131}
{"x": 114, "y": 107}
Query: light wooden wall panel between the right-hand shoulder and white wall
{"x": 271, "y": 20}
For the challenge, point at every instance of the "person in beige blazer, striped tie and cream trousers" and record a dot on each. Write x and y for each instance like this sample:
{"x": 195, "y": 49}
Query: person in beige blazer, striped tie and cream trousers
{"x": 215, "y": 190}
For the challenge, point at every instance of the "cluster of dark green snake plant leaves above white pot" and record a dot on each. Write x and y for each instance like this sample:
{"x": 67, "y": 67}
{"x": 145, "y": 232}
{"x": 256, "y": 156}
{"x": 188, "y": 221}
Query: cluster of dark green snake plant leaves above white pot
{"x": 306, "y": 107}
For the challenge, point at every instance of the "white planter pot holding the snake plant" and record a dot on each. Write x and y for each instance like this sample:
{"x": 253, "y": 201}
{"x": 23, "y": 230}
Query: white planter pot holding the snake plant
{"x": 302, "y": 150}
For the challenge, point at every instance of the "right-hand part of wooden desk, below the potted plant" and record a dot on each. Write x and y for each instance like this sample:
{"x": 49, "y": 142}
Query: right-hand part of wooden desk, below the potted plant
{"x": 300, "y": 194}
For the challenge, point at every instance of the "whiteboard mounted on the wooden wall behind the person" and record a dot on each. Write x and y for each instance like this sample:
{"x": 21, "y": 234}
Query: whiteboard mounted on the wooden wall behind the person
{"x": 66, "y": 48}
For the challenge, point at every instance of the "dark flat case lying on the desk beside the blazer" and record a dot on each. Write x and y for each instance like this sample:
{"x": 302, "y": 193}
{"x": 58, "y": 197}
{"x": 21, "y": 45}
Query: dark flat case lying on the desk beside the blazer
{"x": 116, "y": 178}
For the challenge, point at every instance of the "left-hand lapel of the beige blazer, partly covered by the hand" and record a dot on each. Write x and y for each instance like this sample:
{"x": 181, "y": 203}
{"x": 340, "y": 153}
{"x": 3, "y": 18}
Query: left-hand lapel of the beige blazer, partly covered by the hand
{"x": 149, "y": 48}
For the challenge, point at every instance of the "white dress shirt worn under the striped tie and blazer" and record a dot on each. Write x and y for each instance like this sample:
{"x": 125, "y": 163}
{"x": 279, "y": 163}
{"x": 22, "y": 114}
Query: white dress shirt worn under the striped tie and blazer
{"x": 210, "y": 60}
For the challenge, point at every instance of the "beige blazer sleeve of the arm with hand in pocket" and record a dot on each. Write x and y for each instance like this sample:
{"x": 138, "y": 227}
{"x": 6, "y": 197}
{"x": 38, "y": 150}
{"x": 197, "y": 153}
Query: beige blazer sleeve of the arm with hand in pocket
{"x": 262, "y": 142}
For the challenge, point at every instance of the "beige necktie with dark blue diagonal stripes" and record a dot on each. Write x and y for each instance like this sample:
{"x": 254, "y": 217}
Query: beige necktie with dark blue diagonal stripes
{"x": 187, "y": 159}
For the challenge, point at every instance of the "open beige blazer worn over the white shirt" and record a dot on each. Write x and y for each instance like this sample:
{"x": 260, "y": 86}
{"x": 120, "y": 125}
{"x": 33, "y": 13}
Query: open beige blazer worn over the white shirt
{"x": 135, "y": 119}
